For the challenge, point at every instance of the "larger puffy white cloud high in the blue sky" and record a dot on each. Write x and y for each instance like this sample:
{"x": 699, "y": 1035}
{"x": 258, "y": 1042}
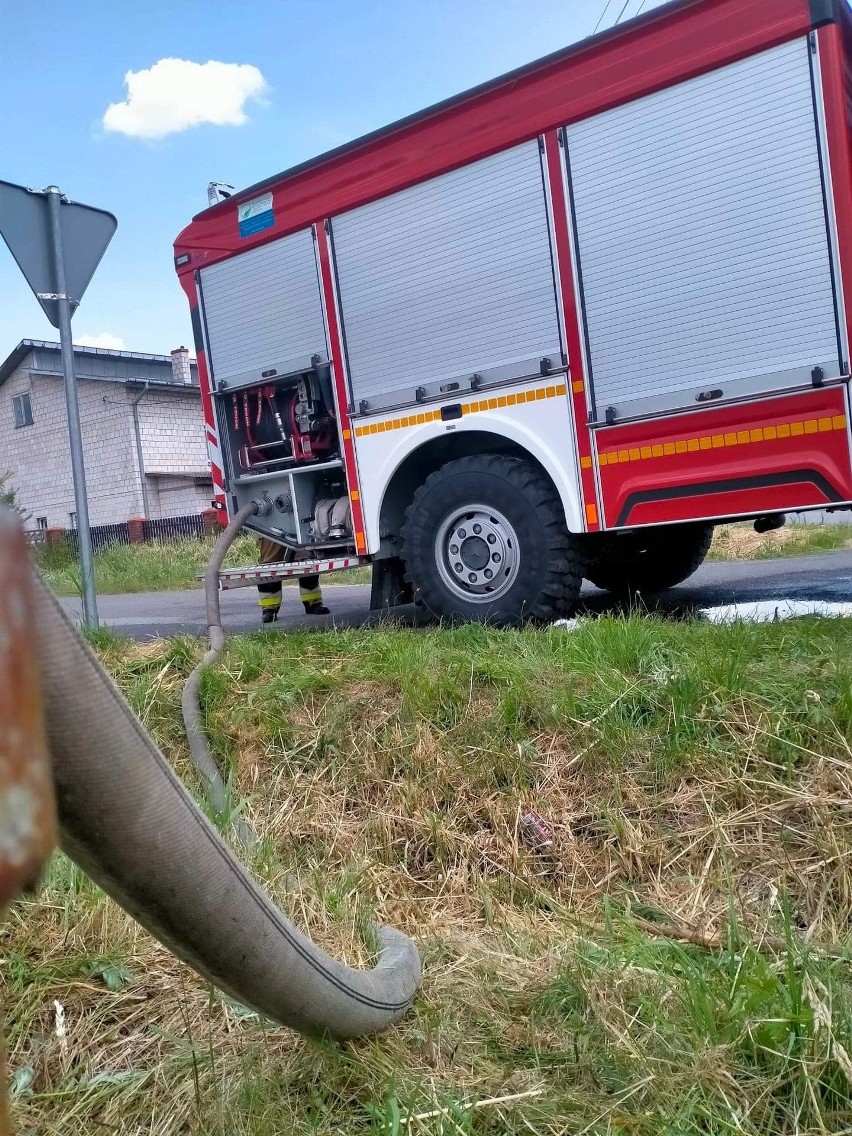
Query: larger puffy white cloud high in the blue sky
{"x": 176, "y": 95}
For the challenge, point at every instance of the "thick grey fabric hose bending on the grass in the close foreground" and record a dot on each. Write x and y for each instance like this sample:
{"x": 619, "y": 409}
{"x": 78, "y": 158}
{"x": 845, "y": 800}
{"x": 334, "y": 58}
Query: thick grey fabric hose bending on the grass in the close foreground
{"x": 128, "y": 821}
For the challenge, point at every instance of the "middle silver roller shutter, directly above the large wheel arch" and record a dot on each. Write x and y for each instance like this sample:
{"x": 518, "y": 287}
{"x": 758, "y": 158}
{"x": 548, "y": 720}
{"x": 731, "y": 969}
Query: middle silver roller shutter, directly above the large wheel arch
{"x": 448, "y": 279}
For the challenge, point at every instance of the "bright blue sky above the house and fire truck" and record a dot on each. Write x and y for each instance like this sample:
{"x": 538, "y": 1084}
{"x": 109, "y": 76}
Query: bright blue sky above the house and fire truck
{"x": 318, "y": 74}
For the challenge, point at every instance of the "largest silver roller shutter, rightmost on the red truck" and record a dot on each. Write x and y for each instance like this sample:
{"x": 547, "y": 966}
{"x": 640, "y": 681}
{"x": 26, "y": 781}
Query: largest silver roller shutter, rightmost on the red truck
{"x": 703, "y": 238}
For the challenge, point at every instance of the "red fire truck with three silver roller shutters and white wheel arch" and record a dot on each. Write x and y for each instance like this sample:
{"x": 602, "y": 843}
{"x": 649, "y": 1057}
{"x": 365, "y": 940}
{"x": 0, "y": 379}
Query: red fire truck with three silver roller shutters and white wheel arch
{"x": 556, "y": 328}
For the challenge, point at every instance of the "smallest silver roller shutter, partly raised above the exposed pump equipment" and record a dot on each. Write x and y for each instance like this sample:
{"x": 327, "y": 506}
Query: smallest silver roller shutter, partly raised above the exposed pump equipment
{"x": 263, "y": 310}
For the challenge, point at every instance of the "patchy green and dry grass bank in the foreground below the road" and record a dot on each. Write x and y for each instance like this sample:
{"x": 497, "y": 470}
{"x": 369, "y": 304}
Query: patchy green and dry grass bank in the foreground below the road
{"x": 669, "y": 968}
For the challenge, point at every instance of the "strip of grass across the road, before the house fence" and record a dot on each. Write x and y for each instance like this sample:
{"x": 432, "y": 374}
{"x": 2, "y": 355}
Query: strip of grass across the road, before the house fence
{"x": 165, "y": 567}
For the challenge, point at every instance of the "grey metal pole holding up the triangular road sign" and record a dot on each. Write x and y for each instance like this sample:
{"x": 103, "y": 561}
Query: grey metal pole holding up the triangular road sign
{"x": 76, "y": 437}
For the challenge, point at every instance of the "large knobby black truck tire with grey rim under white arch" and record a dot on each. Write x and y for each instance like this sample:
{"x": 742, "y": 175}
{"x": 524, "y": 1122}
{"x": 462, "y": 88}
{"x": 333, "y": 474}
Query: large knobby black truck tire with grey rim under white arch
{"x": 485, "y": 540}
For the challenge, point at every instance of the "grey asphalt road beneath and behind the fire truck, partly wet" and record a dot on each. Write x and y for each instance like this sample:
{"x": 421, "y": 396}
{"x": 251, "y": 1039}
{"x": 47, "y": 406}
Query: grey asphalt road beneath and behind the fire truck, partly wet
{"x": 828, "y": 577}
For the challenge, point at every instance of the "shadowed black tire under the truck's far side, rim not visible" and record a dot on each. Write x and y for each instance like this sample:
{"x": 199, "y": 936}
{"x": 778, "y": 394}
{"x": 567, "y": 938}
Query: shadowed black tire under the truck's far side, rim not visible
{"x": 650, "y": 559}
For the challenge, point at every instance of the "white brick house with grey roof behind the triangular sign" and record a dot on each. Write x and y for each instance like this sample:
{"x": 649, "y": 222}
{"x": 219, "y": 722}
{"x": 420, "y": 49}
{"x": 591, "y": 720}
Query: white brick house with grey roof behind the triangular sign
{"x": 143, "y": 435}
